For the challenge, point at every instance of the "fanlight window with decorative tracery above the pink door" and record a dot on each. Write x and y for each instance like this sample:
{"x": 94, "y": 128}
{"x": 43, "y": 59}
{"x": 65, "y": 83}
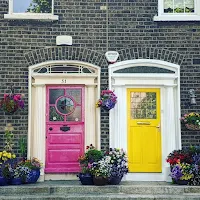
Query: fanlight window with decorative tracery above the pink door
{"x": 65, "y": 69}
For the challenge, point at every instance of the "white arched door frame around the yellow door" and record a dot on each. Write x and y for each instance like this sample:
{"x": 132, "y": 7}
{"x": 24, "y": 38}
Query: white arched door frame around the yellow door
{"x": 169, "y": 84}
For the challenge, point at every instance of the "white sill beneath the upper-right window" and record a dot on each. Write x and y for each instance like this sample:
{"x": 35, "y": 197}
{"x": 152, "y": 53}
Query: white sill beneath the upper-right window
{"x": 177, "y": 18}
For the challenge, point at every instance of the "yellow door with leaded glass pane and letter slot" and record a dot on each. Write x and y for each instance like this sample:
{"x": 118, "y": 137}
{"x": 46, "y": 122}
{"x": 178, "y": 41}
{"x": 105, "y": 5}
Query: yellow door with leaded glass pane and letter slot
{"x": 144, "y": 137}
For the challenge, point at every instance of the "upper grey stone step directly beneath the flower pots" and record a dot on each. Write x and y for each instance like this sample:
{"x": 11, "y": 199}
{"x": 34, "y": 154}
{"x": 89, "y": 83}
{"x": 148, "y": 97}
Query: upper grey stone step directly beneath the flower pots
{"x": 74, "y": 187}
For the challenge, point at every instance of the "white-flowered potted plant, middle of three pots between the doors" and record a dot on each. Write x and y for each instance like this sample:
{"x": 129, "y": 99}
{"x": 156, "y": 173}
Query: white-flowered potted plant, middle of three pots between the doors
{"x": 101, "y": 171}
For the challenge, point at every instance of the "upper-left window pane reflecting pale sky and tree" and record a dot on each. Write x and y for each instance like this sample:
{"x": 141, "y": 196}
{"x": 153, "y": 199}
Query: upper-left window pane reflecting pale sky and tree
{"x": 33, "y": 6}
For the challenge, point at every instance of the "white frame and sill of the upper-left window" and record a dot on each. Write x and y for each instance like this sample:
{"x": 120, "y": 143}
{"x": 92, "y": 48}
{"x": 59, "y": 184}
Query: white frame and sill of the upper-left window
{"x": 36, "y": 16}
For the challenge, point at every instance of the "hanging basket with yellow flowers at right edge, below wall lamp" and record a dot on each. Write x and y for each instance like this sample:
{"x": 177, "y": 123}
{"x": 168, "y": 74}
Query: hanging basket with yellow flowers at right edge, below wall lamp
{"x": 191, "y": 121}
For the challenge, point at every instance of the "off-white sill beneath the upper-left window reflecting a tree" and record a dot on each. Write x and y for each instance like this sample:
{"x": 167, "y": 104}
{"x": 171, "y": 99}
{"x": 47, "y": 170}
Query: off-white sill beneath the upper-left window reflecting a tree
{"x": 27, "y": 16}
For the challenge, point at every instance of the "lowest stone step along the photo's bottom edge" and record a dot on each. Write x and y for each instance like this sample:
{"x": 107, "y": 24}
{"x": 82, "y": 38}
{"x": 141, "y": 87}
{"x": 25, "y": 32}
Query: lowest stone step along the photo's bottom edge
{"x": 119, "y": 196}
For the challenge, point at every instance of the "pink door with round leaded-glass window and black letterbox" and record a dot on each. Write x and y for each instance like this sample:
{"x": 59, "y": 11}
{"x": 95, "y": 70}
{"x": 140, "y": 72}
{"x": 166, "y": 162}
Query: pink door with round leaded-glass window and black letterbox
{"x": 64, "y": 128}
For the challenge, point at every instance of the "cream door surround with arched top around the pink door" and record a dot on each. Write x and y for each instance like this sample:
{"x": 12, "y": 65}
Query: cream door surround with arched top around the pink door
{"x": 37, "y": 102}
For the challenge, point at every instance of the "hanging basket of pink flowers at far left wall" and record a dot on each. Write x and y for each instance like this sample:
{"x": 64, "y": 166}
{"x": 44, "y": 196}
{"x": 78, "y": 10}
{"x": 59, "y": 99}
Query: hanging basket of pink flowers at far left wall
{"x": 11, "y": 103}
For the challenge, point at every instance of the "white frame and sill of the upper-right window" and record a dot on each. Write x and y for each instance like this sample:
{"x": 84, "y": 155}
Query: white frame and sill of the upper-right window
{"x": 177, "y": 16}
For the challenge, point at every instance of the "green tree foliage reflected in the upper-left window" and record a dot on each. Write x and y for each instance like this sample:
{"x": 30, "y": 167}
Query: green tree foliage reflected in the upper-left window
{"x": 40, "y": 6}
